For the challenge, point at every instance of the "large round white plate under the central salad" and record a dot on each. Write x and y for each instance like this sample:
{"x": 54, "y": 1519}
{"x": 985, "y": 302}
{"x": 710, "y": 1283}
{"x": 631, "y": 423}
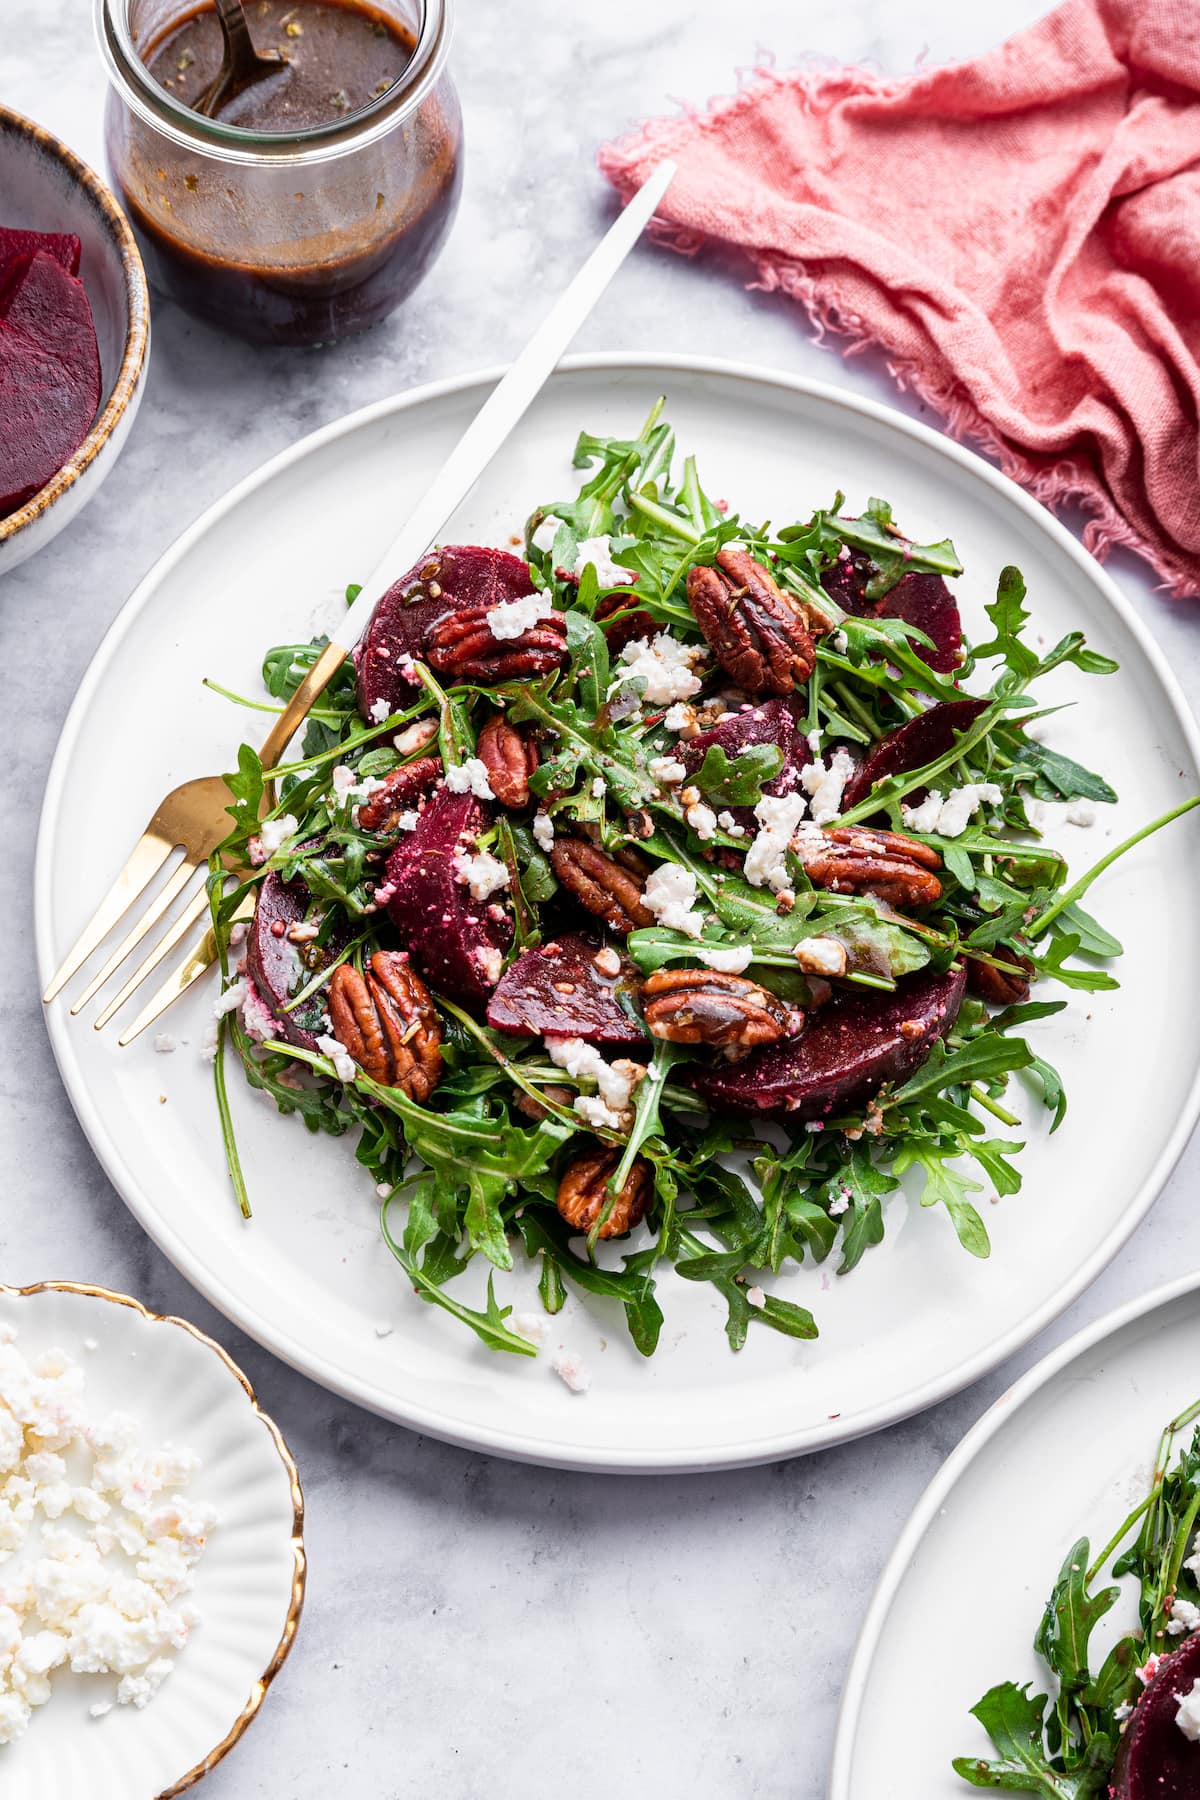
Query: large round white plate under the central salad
{"x": 310, "y": 1275}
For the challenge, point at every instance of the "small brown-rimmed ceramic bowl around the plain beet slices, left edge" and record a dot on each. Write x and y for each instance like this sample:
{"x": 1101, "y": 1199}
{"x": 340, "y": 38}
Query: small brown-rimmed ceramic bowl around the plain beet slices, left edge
{"x": 44, "y": 186}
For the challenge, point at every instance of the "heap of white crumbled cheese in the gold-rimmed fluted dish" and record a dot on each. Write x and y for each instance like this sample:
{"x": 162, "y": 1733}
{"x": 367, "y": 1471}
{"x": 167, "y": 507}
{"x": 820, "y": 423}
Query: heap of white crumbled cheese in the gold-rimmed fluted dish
{"x": 111, "y": 1543}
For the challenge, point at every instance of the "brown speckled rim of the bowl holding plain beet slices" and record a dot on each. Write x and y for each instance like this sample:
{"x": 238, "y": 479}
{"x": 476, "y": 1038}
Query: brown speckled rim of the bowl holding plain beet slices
{"x": 138, "y": 321}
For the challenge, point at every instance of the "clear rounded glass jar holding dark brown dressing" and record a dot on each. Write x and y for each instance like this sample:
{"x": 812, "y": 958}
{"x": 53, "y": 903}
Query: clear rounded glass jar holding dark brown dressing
{"x": 285, "y": 238}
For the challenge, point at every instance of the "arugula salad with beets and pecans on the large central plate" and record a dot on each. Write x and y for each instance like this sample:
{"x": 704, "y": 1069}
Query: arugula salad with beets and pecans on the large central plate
{"x": 733, "y": 1192}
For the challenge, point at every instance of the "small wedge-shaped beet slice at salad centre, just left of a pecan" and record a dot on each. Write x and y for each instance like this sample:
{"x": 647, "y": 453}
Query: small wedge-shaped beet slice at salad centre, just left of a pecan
{"x": 559, "y": 991}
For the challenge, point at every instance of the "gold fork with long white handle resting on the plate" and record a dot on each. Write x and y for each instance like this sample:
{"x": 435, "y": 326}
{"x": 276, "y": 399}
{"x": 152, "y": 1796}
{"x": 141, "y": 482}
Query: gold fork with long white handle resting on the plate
{"x": 195, "y": 818}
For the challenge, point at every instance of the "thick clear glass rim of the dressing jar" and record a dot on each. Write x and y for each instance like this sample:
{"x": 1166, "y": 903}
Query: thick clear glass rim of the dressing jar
{"x": 231, "y": 143}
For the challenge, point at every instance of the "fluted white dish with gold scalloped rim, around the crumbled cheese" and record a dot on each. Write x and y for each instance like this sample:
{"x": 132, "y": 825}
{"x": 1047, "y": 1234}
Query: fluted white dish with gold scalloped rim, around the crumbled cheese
{"x": 249, "y": 1585}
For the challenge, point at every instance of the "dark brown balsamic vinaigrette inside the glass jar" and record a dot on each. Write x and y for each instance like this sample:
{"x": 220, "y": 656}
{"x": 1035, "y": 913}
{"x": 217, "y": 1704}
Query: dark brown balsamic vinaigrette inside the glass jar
{"x": 305, "y": 287}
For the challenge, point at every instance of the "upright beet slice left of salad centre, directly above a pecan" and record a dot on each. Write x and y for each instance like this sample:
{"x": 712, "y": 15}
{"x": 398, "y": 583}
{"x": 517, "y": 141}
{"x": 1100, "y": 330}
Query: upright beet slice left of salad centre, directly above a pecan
{"x": 456, "y": 940}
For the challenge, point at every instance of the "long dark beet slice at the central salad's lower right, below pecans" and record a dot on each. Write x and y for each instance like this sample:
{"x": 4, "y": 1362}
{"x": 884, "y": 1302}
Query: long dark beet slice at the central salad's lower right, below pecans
{"x": 845, "y": 1056}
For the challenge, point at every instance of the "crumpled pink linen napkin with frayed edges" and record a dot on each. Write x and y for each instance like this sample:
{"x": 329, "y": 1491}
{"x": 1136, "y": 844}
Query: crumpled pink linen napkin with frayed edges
{"x": 1019, "y": 235}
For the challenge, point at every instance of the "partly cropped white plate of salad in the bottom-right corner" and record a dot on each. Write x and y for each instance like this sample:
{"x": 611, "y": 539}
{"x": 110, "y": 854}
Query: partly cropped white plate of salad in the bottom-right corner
{"x": 1062, "y": 1455}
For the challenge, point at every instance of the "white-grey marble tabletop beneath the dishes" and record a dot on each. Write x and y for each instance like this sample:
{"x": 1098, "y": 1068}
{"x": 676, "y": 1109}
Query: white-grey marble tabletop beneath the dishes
{"x": 474, "y": 1624}
